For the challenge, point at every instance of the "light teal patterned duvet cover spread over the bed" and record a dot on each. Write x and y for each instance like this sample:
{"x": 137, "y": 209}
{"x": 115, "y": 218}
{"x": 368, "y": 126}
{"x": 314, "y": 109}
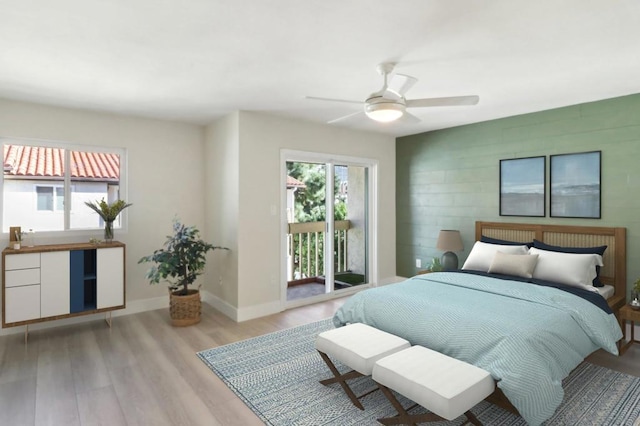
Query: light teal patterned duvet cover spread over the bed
{"x": 528, "y": 337}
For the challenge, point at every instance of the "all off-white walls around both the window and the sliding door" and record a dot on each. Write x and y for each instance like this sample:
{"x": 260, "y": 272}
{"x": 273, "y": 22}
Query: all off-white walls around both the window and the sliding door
{"x": 223, "y": 178}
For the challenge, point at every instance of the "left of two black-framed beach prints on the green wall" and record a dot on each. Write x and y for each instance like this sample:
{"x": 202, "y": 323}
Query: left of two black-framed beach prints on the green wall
{"x": 522, "y": 187}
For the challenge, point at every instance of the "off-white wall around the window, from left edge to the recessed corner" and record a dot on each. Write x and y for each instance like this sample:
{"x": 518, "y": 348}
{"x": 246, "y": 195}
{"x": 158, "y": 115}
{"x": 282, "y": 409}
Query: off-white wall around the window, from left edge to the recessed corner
{"x": 165, "y": 170}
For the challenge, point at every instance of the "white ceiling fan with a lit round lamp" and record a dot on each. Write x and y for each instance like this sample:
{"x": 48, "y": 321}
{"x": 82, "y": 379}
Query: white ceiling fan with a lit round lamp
{"x": 389, "y": 103}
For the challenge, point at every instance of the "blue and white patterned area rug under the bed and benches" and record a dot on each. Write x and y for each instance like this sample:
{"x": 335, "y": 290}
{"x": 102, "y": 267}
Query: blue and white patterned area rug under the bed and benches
{"x": 277, "y": 376}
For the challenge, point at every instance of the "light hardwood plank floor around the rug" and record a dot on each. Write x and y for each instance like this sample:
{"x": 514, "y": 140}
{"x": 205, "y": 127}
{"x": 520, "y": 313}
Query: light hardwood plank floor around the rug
{"x": 143, "y": 371}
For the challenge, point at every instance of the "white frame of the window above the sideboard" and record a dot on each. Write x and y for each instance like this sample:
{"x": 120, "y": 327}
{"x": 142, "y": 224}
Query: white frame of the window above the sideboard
{"x": 68, "y": 147}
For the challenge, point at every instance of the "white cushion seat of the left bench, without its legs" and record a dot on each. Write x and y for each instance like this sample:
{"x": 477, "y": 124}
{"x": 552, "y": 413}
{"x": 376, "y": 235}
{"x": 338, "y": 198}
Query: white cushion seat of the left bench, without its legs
{"x": 359, "y": 346}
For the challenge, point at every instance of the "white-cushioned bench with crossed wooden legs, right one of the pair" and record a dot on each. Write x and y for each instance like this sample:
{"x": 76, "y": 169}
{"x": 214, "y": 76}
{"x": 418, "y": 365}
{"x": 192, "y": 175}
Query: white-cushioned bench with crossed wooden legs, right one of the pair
{"x": 445, "y": 386}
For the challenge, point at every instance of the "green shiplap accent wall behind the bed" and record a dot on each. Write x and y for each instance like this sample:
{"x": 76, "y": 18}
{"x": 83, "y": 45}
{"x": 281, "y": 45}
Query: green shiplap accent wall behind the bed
{"x": 448, "y": 179}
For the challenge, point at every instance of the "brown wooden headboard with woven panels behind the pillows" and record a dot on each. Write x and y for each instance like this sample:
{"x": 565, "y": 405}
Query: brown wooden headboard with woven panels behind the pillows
{"x": 614, "y": 271}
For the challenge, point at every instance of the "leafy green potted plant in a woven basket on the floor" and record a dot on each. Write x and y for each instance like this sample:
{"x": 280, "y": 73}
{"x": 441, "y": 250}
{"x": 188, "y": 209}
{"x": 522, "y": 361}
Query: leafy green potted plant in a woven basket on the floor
{"x": 179, "y": 262}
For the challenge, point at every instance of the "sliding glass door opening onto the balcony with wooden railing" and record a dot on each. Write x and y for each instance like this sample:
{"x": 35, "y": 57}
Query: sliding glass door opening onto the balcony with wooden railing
{"x": 327, "y": 229}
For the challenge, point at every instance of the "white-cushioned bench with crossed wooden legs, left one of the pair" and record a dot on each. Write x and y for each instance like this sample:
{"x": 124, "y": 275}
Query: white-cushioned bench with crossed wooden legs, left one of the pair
{"x": 358, "y": 346}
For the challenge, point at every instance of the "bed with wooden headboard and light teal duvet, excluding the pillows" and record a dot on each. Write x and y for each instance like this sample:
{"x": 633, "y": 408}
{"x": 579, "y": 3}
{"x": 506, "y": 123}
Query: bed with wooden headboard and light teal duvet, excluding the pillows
{"x": 529, "y": 337}
